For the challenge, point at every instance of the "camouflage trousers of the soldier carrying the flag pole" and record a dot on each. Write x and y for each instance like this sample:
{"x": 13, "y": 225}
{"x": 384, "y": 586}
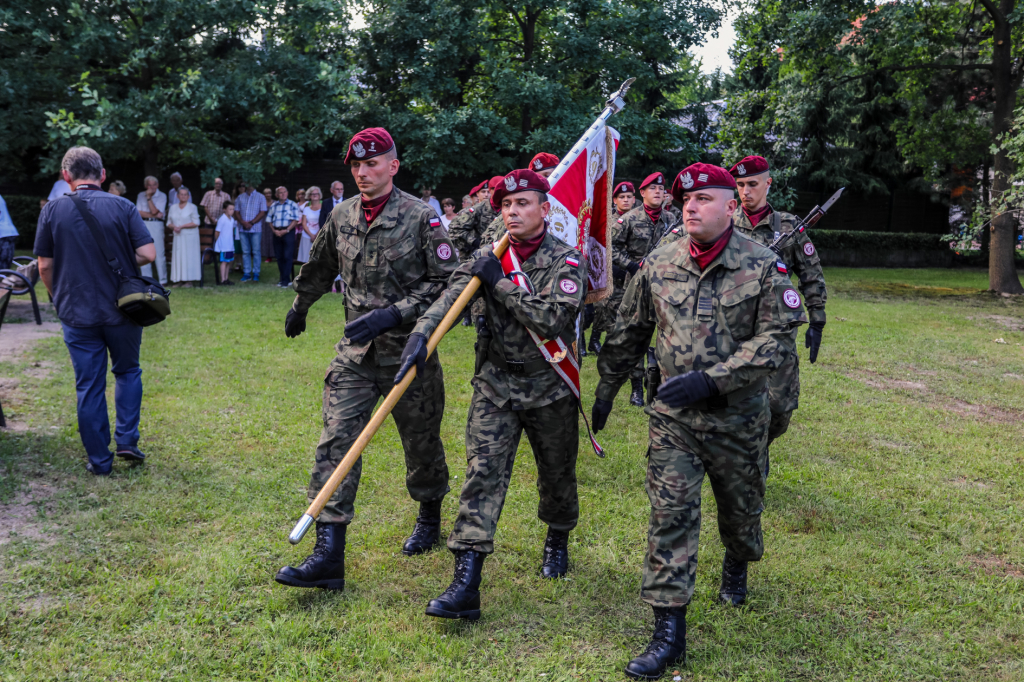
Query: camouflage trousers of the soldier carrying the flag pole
{"x": 493, "y": 436}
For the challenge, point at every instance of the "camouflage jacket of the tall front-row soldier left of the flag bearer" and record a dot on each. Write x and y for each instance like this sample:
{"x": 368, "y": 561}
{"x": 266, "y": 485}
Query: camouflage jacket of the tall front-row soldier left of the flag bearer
{"x": 403, "y": 260}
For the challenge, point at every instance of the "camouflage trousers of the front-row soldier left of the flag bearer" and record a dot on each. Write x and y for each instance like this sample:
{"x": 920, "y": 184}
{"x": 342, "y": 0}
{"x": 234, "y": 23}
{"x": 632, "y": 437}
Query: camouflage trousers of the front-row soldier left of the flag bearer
{"x": 351, "y": 394}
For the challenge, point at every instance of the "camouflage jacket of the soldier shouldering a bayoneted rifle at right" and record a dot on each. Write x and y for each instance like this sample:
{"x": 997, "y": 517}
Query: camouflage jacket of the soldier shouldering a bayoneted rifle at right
{"x": 799, "y": 255}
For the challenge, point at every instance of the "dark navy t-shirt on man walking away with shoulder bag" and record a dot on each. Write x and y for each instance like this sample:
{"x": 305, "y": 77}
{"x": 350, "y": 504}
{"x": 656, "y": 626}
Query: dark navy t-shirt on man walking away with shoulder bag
{"x": 86, "y": 288}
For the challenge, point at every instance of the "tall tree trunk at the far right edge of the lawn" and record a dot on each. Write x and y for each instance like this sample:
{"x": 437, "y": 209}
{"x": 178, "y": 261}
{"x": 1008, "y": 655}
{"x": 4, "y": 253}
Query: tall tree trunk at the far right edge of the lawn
{"x": 1002, "y": 269}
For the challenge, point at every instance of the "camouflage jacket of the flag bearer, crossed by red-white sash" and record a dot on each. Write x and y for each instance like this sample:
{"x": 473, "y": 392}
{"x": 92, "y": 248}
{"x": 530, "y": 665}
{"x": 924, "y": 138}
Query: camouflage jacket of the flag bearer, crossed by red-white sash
{"x": 550, "y": 312}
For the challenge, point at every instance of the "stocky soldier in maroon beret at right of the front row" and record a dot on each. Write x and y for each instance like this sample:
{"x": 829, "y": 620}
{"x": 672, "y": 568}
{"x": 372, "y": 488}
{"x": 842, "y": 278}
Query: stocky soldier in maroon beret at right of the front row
{"x": 722, "y": 313}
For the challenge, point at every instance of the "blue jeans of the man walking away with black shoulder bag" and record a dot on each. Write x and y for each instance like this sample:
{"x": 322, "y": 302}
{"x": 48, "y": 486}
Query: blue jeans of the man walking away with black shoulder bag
{"x": 89, "y": 348}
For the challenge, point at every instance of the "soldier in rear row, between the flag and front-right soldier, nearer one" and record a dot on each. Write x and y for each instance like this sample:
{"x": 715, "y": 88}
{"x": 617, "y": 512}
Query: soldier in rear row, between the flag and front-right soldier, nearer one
{"x": 633, "y": 237}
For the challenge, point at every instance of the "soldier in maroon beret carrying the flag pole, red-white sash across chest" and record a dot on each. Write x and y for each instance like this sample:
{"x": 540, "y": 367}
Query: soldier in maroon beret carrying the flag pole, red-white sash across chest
{"x": 516, "y": 390}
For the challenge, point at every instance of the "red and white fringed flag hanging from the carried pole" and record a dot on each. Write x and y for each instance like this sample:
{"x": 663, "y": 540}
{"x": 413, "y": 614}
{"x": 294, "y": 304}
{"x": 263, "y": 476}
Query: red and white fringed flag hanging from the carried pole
{"x": 581, "y": 209}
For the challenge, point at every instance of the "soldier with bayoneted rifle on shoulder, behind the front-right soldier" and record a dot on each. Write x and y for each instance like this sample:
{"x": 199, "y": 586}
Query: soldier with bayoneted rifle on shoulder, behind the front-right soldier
{"x": 760, "y": 223}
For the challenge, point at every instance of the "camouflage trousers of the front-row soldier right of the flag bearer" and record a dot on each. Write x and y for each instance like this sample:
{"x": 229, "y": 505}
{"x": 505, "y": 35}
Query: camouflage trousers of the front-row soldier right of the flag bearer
{"x": 678, "y": 459}
